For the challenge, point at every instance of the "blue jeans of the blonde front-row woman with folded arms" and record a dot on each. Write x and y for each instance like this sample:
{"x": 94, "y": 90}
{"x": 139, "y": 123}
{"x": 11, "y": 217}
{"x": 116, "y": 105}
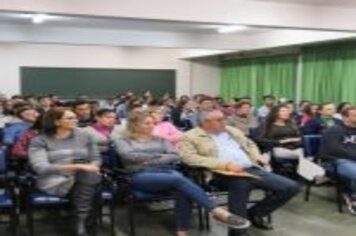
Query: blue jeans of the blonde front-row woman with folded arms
{"x": 185, "y": 191}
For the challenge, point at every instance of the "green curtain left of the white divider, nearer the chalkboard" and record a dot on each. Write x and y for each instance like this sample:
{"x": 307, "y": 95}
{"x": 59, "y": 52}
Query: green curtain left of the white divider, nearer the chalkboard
{"x": 259, "y": 76}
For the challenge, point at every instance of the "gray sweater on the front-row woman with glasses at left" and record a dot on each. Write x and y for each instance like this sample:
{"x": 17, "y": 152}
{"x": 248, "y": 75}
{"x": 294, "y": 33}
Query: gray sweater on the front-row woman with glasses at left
{"x": 47, "y": 154}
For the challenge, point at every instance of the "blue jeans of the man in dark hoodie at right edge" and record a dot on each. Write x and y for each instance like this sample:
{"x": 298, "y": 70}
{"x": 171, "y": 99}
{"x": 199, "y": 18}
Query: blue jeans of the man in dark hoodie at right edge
{"x": 346, "y": 169}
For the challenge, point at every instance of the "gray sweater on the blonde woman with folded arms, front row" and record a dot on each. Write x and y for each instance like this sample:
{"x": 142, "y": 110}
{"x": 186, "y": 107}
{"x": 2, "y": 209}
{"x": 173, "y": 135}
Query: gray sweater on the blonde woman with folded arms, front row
{"x": 137, "y": 155}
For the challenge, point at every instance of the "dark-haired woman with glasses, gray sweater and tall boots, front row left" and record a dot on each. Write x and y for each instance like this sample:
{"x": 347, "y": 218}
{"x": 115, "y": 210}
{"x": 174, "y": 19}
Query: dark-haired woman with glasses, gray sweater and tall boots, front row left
{"x": 67, "y": 163}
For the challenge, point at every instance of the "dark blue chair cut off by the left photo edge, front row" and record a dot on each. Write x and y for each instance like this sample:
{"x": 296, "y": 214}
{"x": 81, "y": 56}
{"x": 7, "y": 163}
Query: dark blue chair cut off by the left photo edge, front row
{"x": 8, "y": 198}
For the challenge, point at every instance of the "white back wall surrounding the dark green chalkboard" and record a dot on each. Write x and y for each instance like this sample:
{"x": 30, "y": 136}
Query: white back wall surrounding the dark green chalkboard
{"x": 14, "y": 55}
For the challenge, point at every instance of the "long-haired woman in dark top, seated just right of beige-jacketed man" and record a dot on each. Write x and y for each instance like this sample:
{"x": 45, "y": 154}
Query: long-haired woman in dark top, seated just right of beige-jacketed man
{"x": 281, "y": 134}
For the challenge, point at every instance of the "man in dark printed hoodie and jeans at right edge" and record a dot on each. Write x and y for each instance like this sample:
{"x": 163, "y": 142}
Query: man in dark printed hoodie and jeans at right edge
{"x": 338, "y": 147}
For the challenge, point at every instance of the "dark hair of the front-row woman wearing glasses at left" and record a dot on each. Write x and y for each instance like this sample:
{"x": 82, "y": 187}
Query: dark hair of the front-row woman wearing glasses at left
{"x": 49, "y": 120}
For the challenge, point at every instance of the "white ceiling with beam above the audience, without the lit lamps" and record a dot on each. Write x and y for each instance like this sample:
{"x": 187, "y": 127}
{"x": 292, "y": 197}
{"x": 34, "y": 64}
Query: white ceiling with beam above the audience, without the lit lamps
{"x": 177, "y": 24}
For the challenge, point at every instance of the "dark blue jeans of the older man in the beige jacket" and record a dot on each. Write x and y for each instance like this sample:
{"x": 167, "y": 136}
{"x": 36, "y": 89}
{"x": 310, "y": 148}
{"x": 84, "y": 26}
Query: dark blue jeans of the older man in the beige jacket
{"x": 280, "y": 190}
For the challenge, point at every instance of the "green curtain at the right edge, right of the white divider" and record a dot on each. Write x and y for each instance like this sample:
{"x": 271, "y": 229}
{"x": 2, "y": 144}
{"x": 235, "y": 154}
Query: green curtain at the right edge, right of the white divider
{"x": 329, "y": 73}
